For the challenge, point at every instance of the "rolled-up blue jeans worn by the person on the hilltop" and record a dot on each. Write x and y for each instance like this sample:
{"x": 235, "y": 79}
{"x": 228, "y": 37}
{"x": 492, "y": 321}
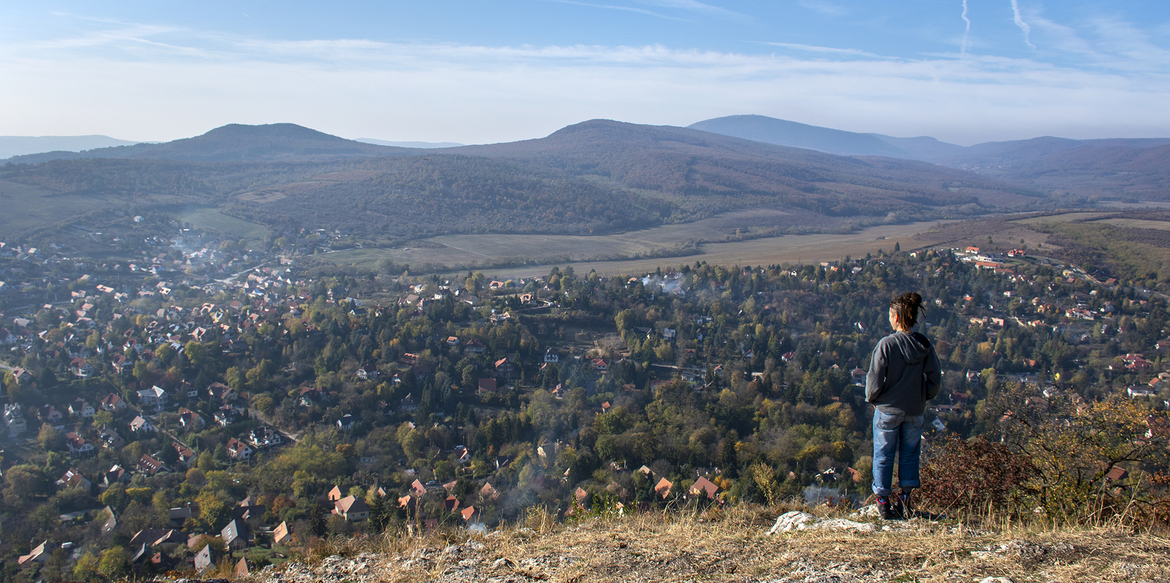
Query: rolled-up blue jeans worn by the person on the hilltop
{"x": 901, "y": 435}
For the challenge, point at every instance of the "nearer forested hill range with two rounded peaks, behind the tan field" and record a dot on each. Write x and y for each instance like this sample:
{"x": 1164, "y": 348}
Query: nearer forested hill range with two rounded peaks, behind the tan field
{"x": 593, "y": 177}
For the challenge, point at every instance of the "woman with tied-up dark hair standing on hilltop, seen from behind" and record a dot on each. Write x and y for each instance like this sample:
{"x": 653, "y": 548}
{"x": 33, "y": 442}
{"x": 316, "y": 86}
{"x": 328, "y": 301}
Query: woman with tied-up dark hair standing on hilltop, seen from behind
{"x": 904, "y": 376}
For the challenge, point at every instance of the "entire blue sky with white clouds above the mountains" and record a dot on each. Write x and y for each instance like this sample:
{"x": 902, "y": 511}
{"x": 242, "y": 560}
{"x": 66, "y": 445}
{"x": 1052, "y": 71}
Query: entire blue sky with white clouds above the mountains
{"x": 483, "y": 72}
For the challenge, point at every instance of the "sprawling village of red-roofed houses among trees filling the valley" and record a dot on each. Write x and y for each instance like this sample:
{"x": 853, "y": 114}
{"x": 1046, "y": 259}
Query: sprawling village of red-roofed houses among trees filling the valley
{"x": 208, "y": 407}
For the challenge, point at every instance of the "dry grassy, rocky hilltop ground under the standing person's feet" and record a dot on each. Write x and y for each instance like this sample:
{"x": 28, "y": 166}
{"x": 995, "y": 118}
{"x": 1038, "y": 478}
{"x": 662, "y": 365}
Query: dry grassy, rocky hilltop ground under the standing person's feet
{"x": 745, "y": 546}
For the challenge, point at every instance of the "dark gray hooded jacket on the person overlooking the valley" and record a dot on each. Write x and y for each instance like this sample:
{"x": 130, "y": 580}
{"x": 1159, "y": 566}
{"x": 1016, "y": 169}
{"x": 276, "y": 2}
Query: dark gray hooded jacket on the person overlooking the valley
{"x": 904, "y": 374}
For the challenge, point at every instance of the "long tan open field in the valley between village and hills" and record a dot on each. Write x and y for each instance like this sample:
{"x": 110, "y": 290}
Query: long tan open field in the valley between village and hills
{"x": 546, "y": 251}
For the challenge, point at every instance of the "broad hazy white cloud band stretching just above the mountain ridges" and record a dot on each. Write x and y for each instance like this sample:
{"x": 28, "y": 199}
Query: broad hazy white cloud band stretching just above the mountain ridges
{"x": 150, "y": 83}
